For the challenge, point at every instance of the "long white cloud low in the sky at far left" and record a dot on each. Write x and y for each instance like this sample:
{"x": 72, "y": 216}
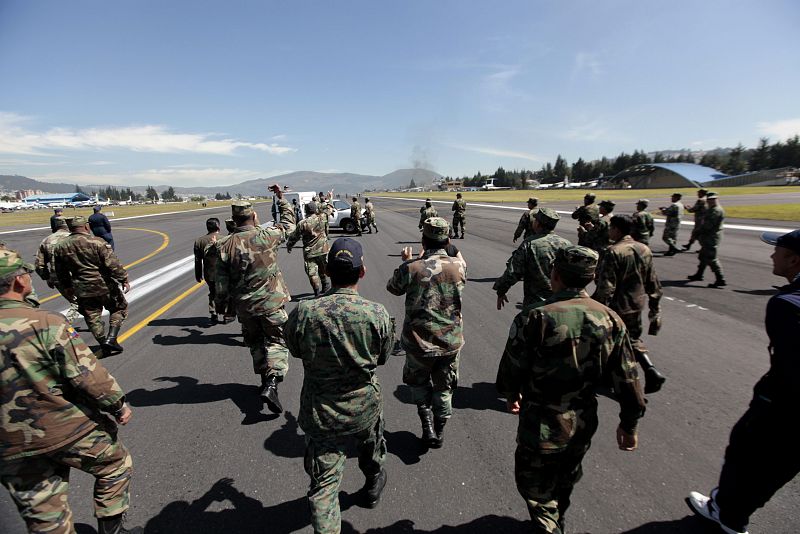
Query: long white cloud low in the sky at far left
{"x": 16, "y": 138}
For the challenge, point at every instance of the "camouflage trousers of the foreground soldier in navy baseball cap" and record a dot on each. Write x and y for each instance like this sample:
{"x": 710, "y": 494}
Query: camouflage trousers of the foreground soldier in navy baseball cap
{"x": 324, "y": 463}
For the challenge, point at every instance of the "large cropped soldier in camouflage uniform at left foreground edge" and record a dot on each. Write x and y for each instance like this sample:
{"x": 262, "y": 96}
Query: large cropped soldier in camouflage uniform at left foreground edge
{"x": 56, "y": 398}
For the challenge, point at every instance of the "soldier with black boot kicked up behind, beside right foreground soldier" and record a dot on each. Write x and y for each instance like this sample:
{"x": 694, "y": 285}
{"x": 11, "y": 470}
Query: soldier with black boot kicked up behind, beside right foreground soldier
{"x": 627, "y": 282}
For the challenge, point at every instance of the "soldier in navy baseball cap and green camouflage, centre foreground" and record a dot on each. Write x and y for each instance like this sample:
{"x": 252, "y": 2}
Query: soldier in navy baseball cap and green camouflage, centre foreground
{"x": 341, "y": 399}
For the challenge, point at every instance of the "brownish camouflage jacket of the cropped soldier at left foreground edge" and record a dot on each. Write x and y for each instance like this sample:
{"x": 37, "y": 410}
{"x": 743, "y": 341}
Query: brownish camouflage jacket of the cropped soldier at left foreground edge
{"x": 52, "y": 388}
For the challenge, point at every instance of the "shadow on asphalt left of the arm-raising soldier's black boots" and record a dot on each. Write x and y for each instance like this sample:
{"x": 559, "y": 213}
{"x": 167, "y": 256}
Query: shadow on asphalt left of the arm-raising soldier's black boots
{"x": 188, "y": 390}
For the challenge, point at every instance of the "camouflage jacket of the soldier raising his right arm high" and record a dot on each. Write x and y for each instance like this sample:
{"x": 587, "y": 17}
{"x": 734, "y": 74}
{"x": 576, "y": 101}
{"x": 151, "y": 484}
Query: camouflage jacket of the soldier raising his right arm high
{"x": 247, "y": 268}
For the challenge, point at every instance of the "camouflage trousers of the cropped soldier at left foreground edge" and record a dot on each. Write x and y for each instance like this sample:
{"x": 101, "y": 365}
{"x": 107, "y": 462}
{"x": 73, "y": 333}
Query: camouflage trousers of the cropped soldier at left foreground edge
{"x": 39, "y": 484}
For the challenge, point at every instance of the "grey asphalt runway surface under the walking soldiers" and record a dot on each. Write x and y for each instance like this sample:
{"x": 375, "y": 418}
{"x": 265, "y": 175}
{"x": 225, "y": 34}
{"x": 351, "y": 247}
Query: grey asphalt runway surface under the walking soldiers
{"x": 208, "y": 458}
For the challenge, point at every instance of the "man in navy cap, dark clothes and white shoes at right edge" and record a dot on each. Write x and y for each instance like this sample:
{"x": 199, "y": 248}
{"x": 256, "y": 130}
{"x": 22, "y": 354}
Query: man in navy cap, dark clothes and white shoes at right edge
{"x": 760, "y": 459}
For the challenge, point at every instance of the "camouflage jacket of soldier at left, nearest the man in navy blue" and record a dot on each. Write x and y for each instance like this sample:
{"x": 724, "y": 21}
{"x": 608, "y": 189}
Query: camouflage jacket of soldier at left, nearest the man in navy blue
{"x": 88, "y": 265}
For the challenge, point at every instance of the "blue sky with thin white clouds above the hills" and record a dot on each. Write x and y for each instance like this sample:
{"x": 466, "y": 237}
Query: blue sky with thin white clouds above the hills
{"x": 213, "y": 93}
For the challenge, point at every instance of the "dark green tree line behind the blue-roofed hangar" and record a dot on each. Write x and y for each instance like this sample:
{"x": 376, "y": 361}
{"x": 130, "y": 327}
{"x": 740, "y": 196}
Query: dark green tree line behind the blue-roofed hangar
{"x": 732, "y": 161}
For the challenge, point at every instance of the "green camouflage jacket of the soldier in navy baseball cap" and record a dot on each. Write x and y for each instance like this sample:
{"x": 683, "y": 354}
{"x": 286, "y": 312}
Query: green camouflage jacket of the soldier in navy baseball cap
{"x": 341, "y": 338}
